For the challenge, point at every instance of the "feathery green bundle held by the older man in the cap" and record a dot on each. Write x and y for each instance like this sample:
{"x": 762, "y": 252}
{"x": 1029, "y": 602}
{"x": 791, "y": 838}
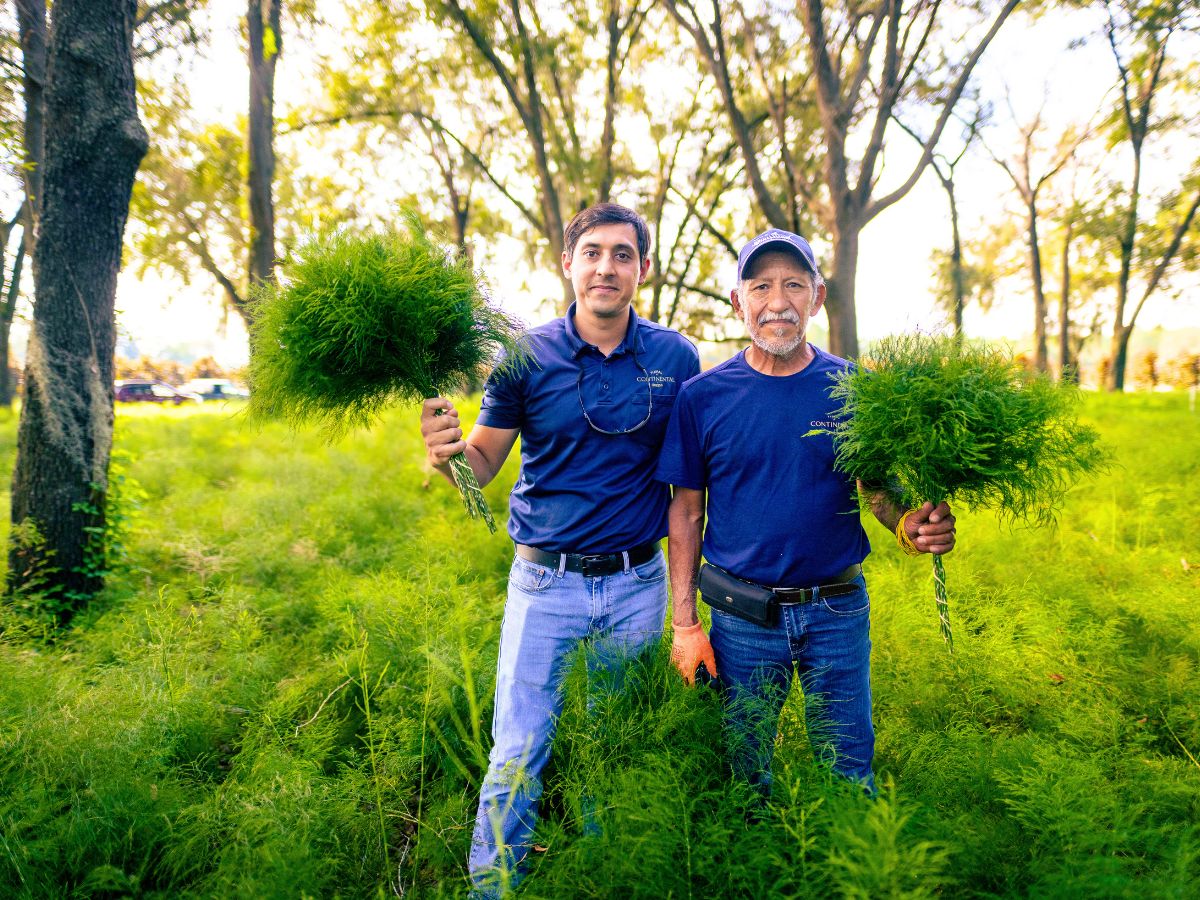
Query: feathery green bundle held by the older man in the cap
{"x": 938, "y": 419}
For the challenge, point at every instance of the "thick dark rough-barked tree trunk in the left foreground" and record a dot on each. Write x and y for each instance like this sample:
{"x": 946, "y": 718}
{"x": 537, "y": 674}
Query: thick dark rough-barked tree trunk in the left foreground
{"x": 94, "y": 145}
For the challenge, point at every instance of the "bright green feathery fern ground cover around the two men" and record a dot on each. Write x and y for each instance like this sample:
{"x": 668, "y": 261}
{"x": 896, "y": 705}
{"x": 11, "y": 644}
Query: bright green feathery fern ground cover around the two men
{"x": 287, "y": 694}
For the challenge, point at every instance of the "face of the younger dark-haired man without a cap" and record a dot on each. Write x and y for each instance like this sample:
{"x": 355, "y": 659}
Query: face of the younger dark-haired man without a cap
{"x": 605, "y": 269}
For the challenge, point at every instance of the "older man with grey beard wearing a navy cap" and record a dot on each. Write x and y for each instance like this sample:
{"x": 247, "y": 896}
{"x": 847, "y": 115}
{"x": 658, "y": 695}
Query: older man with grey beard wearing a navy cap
{"x": 784, "y": 538}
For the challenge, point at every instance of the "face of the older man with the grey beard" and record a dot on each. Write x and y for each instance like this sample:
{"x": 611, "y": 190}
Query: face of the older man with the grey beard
{"x": 777, "y": 298}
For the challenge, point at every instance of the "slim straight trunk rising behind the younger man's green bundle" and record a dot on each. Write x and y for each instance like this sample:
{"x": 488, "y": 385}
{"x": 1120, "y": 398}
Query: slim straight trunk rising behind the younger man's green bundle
{"x": 266, "y": 43}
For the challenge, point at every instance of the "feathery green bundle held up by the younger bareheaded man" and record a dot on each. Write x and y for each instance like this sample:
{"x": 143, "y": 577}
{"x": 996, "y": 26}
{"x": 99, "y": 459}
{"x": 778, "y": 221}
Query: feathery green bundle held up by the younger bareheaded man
{"x": 359, "y": 322}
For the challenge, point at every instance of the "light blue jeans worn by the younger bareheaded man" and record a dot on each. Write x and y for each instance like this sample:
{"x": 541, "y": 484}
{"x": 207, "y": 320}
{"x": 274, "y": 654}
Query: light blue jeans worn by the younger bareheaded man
{"x": 549, "y": 615}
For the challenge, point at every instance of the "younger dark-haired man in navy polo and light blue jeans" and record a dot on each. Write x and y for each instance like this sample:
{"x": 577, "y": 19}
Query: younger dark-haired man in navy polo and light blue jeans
{"x": 586, "y": 513}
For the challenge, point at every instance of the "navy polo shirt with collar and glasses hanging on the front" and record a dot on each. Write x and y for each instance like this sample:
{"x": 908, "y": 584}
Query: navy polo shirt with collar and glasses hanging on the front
{"x": 580, "y": 490}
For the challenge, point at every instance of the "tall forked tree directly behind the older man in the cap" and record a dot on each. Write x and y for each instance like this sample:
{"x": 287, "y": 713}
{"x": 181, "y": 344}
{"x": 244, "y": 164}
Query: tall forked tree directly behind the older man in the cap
{"x": 866, "y": 63}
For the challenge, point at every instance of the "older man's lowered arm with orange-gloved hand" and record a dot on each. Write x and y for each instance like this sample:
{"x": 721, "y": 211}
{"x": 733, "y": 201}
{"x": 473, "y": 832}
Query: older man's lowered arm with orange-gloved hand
{"x": 686, "y": 529}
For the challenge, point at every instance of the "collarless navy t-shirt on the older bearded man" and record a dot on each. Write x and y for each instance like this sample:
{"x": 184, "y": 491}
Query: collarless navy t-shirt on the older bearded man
{"x": 778, "y": 513}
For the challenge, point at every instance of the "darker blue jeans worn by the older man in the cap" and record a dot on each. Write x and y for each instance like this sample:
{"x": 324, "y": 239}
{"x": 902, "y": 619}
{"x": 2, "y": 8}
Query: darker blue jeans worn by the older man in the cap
{"x": 829, "y": 643}
